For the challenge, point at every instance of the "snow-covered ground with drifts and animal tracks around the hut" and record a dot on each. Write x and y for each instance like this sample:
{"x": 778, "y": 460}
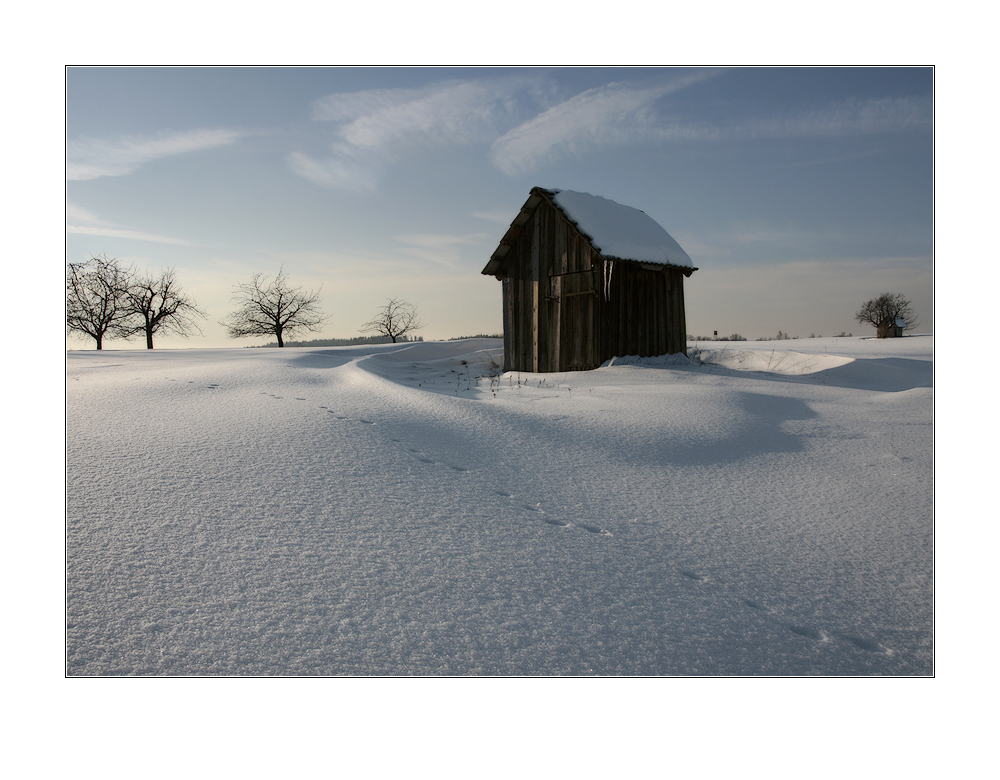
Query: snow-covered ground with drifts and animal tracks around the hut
{"x": 764, "y": 508}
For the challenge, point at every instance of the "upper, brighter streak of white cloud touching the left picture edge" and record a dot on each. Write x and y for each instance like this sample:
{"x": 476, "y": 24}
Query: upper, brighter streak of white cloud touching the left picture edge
{"x": 93, "y": 158}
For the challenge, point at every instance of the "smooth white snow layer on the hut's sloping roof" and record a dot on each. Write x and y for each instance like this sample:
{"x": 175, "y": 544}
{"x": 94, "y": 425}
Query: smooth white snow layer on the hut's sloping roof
{"x": 621, "y": 231}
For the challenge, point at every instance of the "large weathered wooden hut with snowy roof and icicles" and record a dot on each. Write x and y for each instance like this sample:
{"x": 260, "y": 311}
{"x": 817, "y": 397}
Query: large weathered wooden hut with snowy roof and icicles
{"x": 586, "y": 279}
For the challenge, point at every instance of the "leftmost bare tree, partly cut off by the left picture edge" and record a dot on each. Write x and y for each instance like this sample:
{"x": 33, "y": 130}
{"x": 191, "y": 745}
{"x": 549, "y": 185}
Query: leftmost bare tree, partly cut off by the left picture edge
{"x": 96, "y": 298}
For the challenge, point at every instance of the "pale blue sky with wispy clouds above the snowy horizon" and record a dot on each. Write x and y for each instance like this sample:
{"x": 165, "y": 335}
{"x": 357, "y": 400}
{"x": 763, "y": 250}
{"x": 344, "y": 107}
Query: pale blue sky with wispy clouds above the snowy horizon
{"x": 798, "y": 192}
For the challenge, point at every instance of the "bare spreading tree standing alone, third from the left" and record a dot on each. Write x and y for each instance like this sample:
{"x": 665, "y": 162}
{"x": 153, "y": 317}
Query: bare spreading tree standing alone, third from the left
{"x": 273, "y": 308}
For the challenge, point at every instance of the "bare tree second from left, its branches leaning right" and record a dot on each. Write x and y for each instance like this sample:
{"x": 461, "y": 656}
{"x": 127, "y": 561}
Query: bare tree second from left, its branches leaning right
{"x": 156, "y": 303}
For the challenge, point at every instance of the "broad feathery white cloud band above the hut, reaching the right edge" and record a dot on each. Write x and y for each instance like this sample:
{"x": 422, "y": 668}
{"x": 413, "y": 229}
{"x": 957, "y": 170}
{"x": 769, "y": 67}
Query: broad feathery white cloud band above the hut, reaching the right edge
{"x": 524, "y": 123}
